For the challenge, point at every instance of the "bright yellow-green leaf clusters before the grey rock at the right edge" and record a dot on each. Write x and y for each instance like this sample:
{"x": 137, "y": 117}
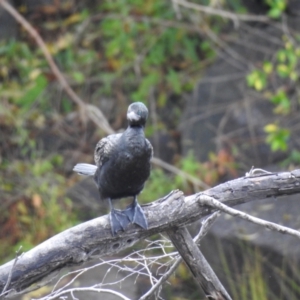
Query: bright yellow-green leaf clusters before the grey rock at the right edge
{"x": 285, "y": 67}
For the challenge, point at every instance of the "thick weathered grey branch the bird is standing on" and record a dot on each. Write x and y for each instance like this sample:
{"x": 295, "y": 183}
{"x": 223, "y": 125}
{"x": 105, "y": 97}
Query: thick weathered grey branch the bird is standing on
{"x": 93, "y": 238}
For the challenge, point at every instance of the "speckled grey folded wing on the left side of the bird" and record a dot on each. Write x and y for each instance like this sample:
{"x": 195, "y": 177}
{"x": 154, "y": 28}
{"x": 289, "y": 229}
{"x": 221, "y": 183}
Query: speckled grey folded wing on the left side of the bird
{"x": 104, "y": 147}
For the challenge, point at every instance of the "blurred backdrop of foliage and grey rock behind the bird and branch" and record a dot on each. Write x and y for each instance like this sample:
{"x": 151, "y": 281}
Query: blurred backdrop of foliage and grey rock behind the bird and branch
{"x": 221, "y": 81}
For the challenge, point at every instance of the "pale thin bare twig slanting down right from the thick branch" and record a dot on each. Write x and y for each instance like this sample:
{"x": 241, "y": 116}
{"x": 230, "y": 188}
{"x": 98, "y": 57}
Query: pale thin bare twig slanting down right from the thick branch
{"x": 212, "y": 202}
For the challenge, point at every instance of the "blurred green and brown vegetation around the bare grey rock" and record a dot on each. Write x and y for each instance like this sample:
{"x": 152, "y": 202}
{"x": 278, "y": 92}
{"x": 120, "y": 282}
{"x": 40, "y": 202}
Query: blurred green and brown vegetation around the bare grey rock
{"x": 113, "y": 53}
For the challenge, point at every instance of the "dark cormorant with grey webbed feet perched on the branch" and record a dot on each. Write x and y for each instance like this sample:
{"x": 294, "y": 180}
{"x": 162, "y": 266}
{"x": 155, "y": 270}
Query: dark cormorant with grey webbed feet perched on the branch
{"x": 122, "y": 167}
